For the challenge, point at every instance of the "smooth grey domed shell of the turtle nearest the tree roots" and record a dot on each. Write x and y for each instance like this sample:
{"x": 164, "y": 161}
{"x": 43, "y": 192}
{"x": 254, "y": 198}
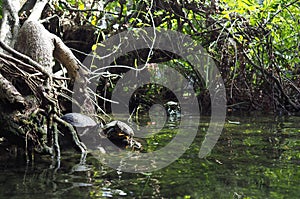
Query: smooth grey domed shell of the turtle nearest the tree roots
{"x": 79, "y": 120}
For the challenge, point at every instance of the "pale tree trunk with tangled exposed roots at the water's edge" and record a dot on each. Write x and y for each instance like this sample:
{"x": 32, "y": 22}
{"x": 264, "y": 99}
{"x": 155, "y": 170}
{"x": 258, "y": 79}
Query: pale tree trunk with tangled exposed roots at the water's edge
{"x": 30, "y": 98}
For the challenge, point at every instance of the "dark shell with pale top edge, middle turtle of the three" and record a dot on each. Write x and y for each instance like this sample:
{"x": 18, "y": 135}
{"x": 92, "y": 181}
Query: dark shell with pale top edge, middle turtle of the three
{"x": 118, "y": 128}
